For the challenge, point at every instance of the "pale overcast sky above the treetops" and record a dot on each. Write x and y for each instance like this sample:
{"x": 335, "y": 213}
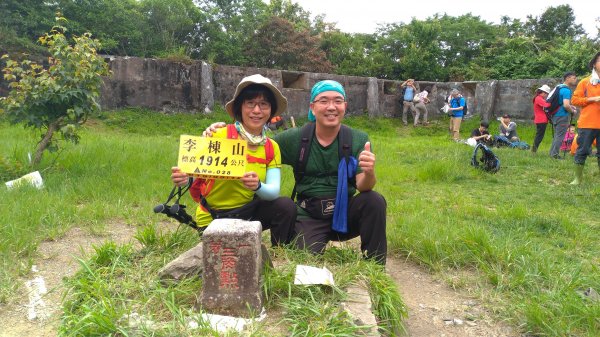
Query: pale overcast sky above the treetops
{"x": 364, "y": 15}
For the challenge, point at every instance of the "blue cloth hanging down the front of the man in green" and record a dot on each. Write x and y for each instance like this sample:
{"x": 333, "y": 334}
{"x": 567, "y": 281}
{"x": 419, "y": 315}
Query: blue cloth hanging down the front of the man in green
{"x": 340, "y": 213}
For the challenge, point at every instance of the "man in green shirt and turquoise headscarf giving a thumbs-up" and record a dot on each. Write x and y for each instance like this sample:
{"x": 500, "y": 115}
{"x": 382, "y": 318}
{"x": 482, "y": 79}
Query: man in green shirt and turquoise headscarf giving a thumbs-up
{"x": 366, "y": 211}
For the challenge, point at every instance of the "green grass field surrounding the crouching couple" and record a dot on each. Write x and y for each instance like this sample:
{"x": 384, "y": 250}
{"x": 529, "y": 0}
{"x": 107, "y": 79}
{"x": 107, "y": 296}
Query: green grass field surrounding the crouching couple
{"x": 523, "y": 239}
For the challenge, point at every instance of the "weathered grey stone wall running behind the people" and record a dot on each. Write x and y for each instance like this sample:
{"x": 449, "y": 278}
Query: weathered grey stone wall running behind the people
{"x": 170, "y": 86}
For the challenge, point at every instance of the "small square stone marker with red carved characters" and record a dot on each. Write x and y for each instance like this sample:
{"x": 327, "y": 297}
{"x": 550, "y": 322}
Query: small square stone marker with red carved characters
{"x": 232, "y": 268}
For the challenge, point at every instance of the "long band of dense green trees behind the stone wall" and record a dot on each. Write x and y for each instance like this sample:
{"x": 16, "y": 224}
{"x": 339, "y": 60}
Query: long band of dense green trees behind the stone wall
{"x": 281, "y": 34}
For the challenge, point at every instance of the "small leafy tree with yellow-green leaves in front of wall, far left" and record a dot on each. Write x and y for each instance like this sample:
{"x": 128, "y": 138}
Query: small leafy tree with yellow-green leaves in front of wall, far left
{"x": 59, "y": 98}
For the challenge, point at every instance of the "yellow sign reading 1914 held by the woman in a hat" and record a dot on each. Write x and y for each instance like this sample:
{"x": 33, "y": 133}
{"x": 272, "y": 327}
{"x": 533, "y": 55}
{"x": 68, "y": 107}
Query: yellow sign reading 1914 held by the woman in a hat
{"x": 219, "y": 158}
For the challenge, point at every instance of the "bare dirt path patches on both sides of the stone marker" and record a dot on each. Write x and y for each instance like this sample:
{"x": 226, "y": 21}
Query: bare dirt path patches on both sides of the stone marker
{"x": 434, "y": 308}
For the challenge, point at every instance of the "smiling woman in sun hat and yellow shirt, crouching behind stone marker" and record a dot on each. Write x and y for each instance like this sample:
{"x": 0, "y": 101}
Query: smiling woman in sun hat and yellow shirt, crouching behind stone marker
{"x": 255, "y": 196}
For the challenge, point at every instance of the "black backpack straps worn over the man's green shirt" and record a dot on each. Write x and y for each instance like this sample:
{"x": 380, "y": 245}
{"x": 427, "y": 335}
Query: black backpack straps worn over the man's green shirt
{"x": 306, "y": 135}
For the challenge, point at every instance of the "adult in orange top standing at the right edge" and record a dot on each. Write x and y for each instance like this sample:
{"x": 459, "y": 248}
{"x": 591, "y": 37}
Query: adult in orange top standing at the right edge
{"x": 587, "y": 96}
